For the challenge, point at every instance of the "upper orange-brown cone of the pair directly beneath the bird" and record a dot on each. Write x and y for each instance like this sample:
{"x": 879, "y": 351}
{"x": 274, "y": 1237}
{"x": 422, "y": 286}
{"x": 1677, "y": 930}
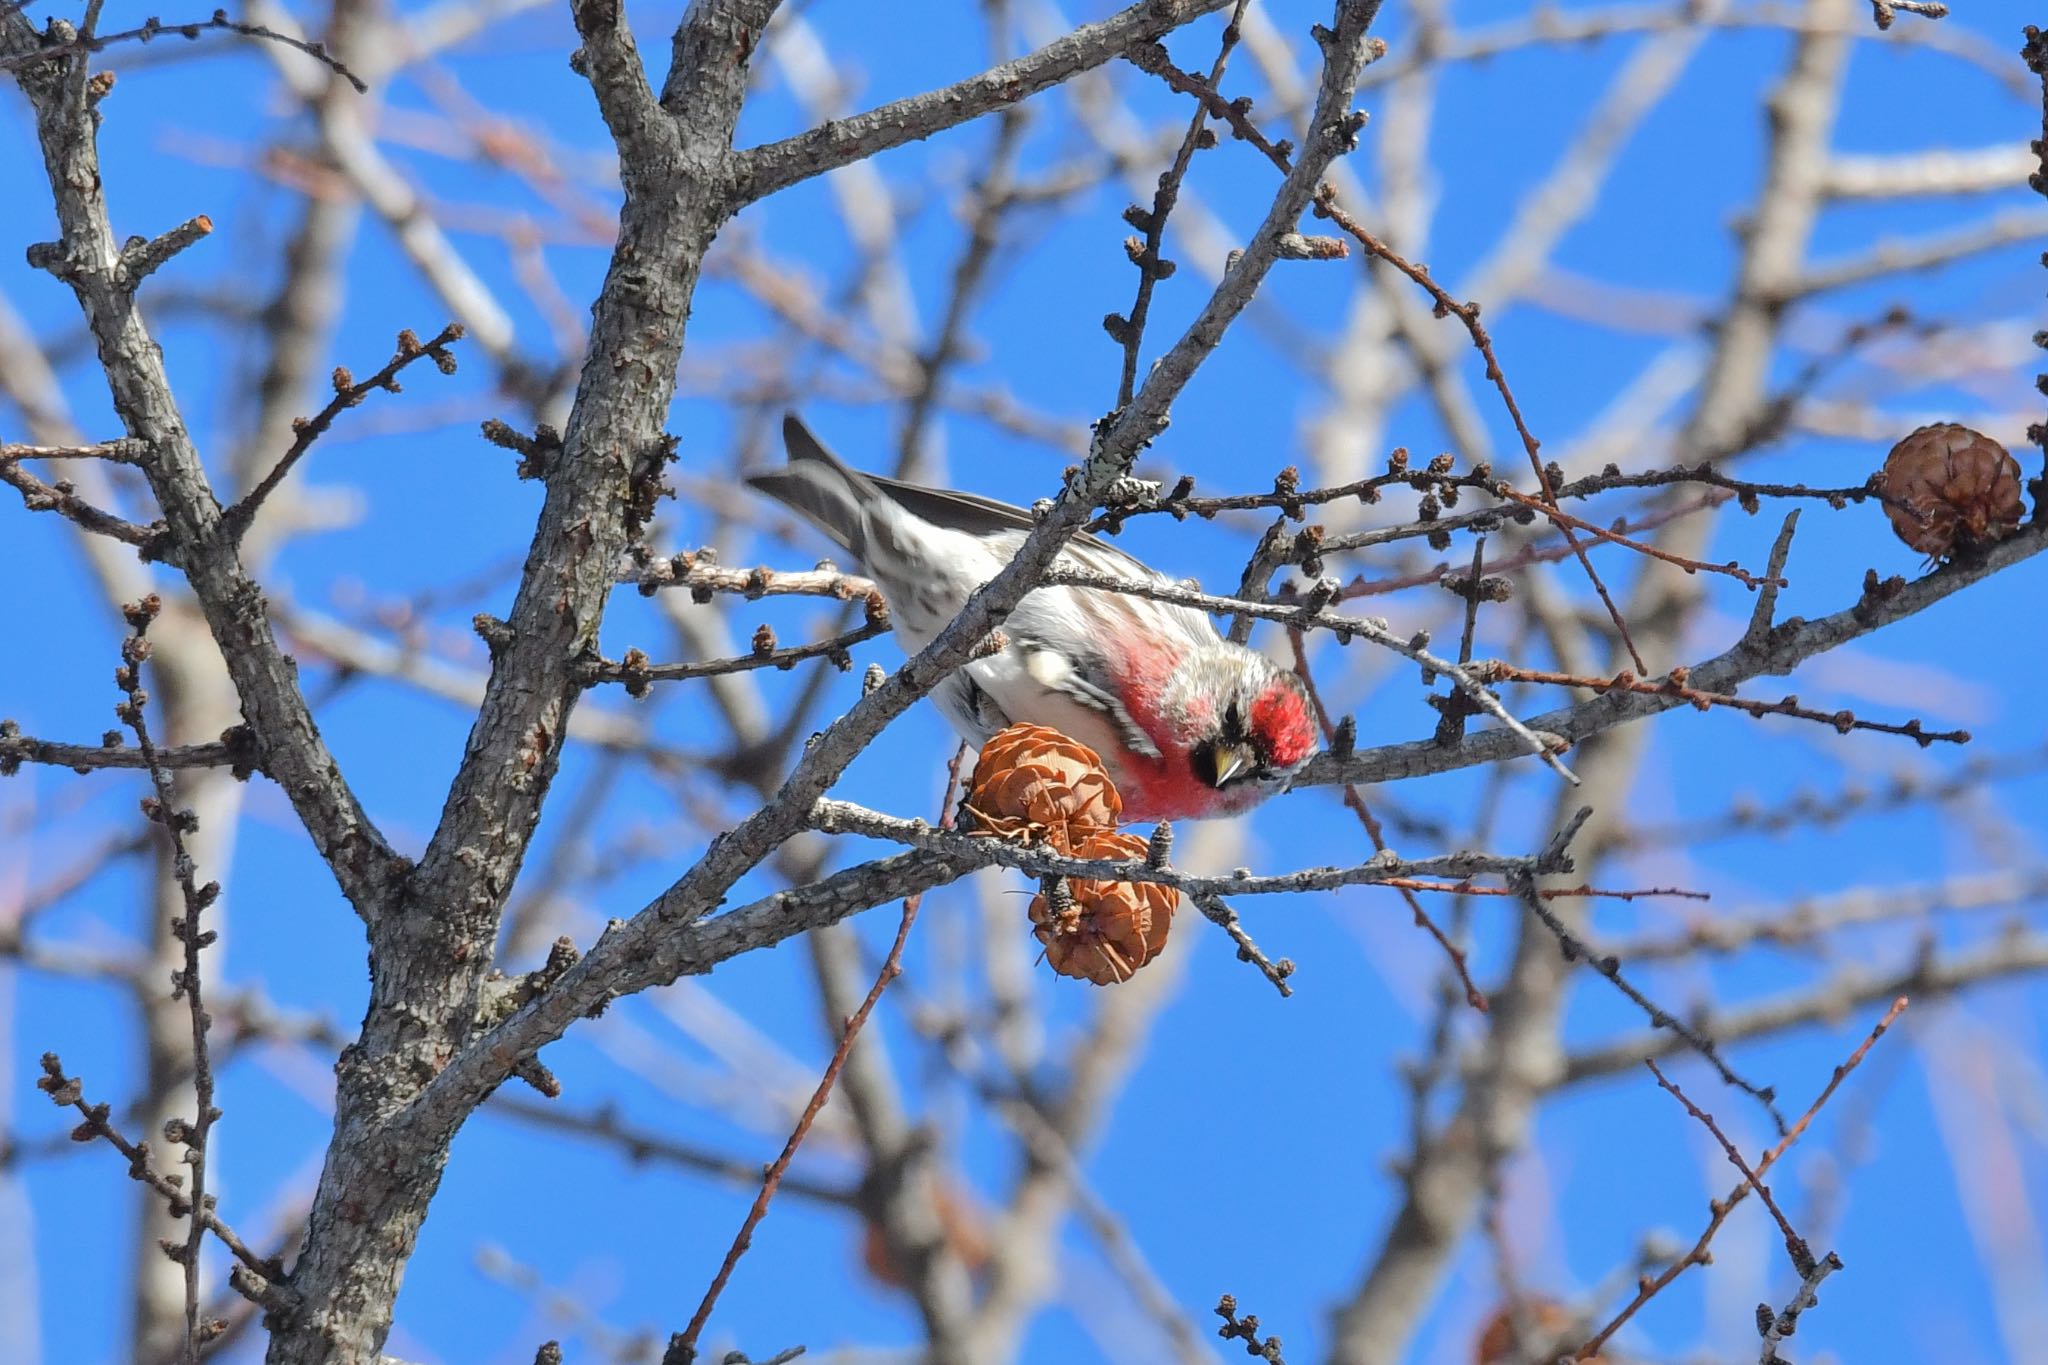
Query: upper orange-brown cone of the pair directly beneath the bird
{"x": 1037, "y": 787}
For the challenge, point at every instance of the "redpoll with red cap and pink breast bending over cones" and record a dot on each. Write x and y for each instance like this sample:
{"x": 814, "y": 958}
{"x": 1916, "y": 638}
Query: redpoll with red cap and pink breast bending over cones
{"x": 1187, "y": 723}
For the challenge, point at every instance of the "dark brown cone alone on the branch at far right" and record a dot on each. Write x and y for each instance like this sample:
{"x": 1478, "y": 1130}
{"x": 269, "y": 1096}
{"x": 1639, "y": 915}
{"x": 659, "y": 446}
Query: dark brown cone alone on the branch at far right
{"x": 1949, "y": 488}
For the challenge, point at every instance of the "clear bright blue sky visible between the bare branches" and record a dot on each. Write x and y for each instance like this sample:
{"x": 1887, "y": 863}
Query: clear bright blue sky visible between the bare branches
{"x": 1250, "y": 1149}
